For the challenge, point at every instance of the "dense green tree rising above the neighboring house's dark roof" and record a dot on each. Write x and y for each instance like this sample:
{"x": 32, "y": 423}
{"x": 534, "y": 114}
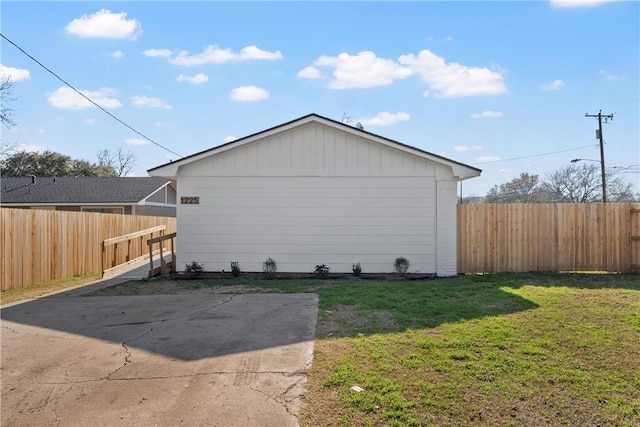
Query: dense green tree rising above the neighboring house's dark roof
{"x": 49, "y": 163}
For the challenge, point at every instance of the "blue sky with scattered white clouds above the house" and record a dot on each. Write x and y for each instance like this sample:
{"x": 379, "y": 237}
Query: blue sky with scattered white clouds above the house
{"x": 502, "y": 86}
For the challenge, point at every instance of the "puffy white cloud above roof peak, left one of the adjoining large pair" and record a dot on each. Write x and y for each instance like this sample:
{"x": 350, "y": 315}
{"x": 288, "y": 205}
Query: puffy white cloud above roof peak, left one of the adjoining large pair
{"x": 363, "y": 70}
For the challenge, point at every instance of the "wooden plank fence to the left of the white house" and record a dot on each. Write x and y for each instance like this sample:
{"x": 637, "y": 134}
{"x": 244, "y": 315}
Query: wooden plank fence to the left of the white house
{"x": 42, "y": 245}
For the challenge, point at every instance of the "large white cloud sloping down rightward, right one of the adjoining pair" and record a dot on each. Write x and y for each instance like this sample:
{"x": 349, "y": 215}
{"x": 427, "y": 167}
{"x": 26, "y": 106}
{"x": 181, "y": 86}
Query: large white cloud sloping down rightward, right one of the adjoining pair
{"x": 453, "y": 80}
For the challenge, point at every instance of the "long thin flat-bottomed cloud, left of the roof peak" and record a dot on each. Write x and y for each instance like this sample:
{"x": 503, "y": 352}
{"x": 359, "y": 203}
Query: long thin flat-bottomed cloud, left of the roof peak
{"x": 216, "y": 55}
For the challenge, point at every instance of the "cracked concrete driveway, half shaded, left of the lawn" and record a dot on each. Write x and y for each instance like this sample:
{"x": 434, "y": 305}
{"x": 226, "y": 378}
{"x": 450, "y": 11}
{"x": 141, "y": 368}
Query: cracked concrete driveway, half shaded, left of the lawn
{"x": 163, "y": 360}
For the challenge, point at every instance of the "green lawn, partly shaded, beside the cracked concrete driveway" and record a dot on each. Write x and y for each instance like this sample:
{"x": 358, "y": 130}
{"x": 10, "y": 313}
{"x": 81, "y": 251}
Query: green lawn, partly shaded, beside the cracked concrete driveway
{"x": 500, "y": 349}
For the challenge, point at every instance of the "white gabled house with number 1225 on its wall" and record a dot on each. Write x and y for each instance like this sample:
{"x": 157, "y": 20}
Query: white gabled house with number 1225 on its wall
{"x": 316, "y": 191}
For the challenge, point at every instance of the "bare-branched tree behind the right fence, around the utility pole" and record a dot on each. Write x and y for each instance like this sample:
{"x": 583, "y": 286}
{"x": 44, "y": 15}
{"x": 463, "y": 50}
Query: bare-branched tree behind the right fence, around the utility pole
{"x": 583, "y": 184}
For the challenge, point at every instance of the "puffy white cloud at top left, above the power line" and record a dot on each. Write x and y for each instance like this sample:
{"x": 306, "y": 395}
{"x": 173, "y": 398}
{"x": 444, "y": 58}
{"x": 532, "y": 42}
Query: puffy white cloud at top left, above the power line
{"x": 105, "y": 25}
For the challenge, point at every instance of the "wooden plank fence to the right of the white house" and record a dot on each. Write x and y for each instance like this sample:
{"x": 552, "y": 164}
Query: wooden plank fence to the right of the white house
{"x": 522, "y": 237}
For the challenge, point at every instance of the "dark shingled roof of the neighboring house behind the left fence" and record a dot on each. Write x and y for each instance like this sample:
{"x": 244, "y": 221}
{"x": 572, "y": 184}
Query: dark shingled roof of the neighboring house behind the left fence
{"x": 78, "y": 190}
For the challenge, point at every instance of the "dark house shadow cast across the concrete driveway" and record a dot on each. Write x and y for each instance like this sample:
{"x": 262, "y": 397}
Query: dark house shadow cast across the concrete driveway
{"x": 186, "y": 327}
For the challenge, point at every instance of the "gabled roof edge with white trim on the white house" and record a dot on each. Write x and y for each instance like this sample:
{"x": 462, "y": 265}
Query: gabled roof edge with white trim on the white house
{"x": 170, "y": 170}
